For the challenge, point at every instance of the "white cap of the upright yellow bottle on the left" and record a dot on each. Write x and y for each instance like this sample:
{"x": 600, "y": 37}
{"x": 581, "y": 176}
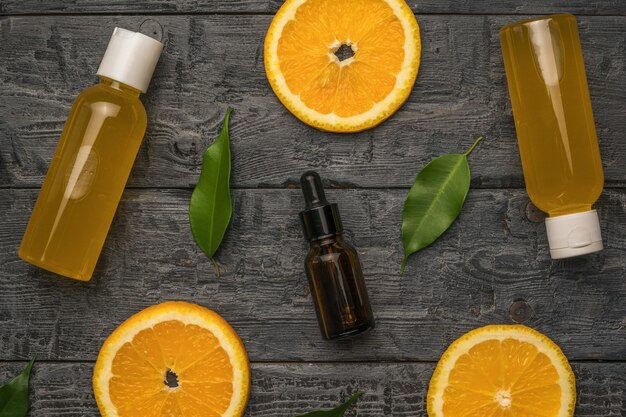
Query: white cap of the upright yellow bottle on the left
{"x": 130, "y": 58}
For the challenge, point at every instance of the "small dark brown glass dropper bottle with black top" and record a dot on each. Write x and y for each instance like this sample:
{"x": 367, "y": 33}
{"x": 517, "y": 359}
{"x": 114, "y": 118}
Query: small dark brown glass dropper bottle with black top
{"x": 333, "y": 267}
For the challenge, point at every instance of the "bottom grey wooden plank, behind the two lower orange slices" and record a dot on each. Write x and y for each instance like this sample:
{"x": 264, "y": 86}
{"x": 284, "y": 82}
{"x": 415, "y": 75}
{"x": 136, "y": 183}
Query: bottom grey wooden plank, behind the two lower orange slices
{"x": 289, "y": 389}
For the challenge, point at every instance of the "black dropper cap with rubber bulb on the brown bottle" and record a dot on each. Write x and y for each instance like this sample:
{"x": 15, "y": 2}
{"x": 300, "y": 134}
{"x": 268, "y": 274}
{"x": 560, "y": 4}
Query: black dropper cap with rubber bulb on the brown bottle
{"x": 320, "y": 219}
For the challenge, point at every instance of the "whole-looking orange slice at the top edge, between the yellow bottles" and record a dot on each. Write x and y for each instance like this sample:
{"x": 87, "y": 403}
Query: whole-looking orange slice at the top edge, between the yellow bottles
{"x": 303, "y": 67}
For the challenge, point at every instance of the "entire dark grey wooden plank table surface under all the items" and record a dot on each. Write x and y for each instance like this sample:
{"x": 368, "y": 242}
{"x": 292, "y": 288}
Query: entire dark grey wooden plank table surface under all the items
{"x": 492, "y": 266}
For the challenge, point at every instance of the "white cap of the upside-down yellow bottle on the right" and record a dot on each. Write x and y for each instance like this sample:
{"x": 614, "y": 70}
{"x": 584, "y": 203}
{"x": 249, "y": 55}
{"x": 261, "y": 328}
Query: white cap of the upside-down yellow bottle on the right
{"x": 574, "y": 234}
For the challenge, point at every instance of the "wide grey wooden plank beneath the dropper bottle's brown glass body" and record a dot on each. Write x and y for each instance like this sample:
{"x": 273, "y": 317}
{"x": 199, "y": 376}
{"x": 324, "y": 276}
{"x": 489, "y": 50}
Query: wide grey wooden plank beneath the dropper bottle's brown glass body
{"x": 492, "y": 257}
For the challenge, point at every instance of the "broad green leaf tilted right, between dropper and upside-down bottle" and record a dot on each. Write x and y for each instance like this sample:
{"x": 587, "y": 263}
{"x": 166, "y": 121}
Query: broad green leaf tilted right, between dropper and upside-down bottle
{"x": 434, "y": 201}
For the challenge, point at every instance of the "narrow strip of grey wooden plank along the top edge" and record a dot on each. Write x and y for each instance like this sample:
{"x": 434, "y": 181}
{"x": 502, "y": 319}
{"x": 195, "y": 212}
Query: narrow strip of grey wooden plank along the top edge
{"x": 596, "y": 7}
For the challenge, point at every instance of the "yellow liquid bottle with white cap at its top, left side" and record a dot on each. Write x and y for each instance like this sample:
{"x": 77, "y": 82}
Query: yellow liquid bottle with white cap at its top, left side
{"x": 92, "y": 161}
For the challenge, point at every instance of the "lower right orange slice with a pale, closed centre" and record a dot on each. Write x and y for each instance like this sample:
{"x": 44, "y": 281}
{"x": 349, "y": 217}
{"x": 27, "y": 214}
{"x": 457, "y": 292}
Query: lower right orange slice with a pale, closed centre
{"x": 502, "y": 371}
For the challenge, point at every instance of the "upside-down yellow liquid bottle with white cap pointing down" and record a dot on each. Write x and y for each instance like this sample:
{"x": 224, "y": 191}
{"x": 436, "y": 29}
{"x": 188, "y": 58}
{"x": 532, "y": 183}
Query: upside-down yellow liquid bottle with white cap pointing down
{"x": 555, "y": 129}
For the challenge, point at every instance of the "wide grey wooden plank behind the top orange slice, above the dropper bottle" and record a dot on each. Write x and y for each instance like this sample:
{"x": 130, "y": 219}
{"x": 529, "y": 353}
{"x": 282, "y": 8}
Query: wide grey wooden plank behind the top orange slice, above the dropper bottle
{"x": 214, "y": 61}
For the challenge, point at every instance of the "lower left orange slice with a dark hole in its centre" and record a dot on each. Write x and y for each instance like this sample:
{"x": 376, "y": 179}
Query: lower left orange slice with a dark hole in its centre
{"x": 174, "y": 359}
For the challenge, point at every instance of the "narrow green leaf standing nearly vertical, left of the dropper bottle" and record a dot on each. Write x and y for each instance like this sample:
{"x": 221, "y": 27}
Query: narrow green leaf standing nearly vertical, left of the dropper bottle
{"x": 210, "y": 208}
